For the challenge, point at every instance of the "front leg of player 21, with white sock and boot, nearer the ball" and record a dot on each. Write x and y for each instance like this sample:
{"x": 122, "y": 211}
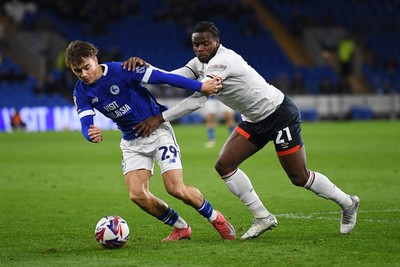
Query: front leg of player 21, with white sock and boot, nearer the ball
{"x": 237, "y": 149}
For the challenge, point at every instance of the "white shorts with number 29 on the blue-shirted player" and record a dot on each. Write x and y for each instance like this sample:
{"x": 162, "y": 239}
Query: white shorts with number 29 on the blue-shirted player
{"x": 161, "y": 145}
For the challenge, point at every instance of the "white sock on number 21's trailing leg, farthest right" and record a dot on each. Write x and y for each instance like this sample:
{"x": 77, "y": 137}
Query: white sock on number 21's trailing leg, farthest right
{"x": 323, "y": 187}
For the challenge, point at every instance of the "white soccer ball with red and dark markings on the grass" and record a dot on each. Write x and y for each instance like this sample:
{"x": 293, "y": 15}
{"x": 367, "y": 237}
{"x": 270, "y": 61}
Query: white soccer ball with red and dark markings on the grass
{"x": 112, "y": 232}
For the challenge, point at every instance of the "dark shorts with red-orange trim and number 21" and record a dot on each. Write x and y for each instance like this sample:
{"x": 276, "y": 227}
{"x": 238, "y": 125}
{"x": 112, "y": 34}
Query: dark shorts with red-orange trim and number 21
{"x": 282, "y": 127}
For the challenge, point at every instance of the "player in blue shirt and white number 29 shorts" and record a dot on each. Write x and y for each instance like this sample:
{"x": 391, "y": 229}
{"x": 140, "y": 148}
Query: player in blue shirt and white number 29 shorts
{"x": 120, "y": 95}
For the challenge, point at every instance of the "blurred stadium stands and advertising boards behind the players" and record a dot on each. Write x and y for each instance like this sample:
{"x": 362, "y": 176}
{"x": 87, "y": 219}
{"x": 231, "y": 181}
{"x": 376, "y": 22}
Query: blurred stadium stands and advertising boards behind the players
{"x": 338, "y": 59}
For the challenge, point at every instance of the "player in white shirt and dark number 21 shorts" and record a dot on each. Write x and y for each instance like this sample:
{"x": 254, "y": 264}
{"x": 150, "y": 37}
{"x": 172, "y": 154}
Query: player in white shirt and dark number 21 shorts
{"x": 268, "y": 115}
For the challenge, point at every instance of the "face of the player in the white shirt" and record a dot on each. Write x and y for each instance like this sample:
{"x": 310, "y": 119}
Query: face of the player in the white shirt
{"x": 205, "y": 46}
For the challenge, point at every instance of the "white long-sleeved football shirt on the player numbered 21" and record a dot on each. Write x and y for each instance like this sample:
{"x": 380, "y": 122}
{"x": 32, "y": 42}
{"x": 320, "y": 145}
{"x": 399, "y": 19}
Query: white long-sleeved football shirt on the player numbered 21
{"x": 244, "y": 90}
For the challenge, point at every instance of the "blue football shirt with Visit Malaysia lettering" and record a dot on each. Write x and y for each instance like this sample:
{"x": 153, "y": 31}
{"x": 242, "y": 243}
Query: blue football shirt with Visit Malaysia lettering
{"x": 120, "y": 95}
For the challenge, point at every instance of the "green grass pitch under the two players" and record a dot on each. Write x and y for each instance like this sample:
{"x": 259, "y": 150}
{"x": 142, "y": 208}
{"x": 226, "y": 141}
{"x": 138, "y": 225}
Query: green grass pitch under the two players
{"x": 56, "y": 186}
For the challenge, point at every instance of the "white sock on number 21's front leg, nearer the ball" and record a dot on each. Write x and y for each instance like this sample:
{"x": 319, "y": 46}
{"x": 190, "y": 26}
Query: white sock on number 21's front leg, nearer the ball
{"x": 240, "y": 185}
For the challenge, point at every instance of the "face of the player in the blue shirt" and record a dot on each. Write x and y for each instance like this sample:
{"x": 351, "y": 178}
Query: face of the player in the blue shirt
{"x": 88, "y": 71}
